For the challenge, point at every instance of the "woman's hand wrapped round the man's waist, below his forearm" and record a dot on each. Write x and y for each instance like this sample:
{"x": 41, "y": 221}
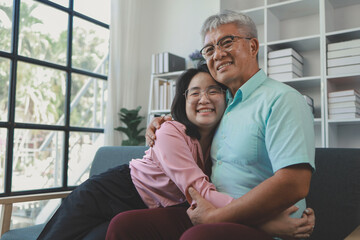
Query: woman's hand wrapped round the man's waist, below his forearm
{"x": 286, "y": 227}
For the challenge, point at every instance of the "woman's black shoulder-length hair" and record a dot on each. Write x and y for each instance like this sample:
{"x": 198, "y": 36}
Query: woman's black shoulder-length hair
{"x": 178, "y": 106}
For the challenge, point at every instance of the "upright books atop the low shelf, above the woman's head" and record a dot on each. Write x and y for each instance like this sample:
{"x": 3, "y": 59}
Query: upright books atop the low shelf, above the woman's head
{"x": 166, "y": 62}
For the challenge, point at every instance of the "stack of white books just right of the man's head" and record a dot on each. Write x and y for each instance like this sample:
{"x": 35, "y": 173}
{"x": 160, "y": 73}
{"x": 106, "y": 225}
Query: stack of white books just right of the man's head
{"x": 285, "y": 64}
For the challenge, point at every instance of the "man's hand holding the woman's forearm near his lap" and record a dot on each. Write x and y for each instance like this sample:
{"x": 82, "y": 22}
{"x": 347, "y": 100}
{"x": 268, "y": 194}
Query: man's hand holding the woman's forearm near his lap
{"x": 201, "y": 210}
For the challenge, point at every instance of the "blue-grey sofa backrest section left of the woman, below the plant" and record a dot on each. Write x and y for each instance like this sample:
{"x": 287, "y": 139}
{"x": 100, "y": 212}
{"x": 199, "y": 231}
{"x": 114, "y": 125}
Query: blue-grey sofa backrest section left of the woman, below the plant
{"x": 109, "y": 157}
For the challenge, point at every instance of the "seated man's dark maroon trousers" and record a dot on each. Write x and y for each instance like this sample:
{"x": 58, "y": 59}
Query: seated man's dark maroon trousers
{"x": 172, "y": 223}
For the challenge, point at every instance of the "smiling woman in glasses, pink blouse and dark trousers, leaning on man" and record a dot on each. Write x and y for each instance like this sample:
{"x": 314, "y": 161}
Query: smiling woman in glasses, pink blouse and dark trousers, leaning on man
{"x": 162, "y": 176}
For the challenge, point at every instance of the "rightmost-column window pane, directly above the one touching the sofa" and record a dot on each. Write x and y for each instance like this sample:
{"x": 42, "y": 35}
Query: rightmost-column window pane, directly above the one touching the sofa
{"x": 88, "y": 101}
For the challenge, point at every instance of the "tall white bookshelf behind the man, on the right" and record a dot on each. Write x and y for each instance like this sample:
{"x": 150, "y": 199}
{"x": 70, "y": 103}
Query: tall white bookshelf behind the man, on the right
{"x": 308, "y": 26}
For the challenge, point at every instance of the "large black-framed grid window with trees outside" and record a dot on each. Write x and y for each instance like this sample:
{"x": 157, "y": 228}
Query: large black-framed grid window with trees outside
{"x": 53, "y": 72}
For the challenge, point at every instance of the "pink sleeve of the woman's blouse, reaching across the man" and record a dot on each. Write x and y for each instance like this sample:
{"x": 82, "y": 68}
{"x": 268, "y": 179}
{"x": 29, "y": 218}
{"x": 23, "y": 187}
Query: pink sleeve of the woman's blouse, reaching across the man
{"x": 176, "y": 160}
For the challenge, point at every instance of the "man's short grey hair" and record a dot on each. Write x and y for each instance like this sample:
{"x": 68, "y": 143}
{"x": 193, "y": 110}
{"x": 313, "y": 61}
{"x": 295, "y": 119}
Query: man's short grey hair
{"x": 227, "y": 16}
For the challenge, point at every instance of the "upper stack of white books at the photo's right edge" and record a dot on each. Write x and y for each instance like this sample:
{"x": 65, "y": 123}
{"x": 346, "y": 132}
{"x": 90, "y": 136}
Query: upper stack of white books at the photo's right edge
{"x": 343, "y": 57}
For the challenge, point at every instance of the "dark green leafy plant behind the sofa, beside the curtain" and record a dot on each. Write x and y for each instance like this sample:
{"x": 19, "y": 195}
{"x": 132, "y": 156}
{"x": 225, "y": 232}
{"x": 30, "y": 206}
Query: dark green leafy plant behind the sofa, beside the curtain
{"x": 132, "y": 120}
